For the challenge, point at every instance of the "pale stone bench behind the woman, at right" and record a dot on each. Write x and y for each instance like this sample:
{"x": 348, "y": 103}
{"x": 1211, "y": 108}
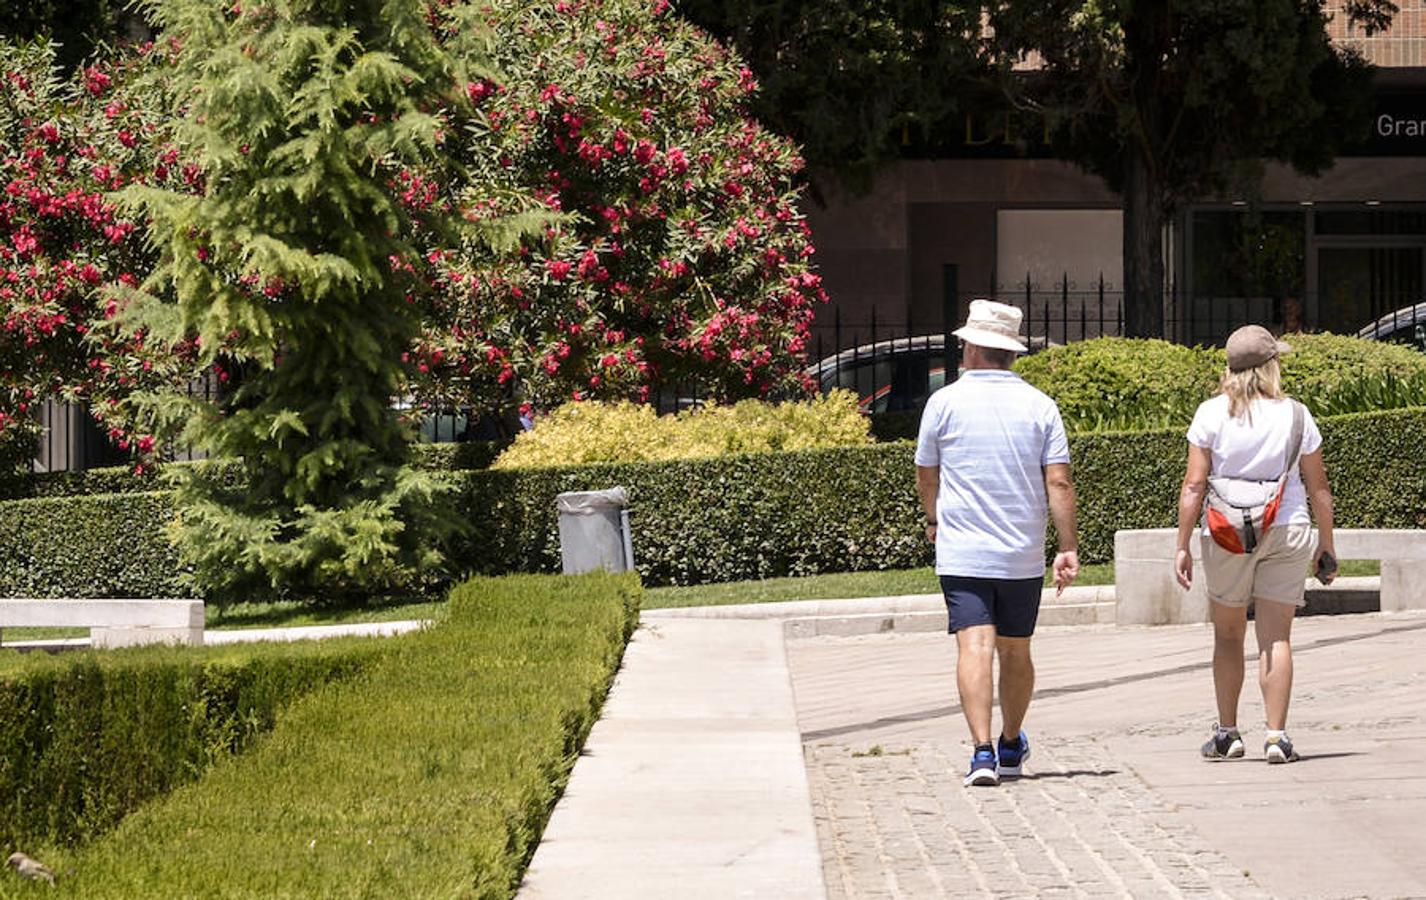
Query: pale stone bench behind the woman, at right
{"x": 1147, "y": 593}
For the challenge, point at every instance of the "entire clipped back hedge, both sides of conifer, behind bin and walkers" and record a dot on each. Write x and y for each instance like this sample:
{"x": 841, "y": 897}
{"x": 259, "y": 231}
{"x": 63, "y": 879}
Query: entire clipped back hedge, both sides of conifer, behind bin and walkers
{"x": 729, "y": 518}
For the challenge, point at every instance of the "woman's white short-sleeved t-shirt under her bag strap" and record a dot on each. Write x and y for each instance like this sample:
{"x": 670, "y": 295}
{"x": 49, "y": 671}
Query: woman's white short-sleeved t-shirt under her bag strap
{"x": 1256, "y": 447}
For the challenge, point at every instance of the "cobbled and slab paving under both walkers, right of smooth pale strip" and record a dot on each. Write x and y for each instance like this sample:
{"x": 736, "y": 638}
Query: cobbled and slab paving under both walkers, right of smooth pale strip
{"x": 1114, "y": 802}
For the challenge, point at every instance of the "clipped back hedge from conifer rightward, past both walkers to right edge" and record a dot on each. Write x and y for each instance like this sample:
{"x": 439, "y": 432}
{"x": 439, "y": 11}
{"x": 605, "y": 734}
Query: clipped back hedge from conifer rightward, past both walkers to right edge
{"x": 852, "y": 510}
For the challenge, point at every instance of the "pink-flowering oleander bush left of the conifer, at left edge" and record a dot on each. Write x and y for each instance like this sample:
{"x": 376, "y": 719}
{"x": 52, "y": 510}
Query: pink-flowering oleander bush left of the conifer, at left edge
{"x": 63, "y": 245}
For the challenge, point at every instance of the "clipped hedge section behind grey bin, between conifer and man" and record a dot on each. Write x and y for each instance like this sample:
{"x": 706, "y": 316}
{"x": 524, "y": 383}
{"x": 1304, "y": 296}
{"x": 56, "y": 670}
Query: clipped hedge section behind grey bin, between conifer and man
{"x": 756, "y": 516}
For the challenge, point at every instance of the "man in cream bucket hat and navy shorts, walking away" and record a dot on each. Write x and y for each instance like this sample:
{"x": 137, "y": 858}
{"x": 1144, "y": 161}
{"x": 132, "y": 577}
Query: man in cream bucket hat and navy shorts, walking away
{"x": 990, "y": 457}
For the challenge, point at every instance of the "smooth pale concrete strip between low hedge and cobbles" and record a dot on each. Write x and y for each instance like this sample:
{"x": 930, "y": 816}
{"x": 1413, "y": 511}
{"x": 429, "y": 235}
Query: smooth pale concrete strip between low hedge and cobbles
{"x": 692, "y": 784}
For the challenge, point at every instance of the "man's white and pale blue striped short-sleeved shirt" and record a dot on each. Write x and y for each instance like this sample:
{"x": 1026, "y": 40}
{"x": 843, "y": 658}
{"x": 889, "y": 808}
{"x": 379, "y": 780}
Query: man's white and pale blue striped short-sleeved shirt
{"x": 992, "y": 436}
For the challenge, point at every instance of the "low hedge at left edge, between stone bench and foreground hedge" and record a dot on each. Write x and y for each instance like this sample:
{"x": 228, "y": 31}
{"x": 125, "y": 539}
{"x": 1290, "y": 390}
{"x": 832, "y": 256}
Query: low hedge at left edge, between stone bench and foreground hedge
{"x": 88, "y": 738}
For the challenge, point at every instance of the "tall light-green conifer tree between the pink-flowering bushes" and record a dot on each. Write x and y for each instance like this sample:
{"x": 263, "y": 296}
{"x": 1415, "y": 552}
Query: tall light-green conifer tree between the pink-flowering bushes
{"x": 292, "y": 272}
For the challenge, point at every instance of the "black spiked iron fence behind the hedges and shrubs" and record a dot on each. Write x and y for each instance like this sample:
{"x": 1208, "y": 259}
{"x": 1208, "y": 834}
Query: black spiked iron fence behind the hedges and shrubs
{"x": 895, "y": 364}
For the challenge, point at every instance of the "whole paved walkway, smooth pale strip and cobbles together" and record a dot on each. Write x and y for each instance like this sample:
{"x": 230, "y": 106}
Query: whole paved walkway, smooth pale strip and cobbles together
{"x": 704, "y": 781}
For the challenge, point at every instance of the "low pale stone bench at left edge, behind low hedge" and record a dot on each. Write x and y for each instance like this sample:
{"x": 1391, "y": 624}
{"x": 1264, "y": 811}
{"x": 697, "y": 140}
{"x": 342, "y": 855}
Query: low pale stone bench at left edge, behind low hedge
{"x": 113, "y": 624}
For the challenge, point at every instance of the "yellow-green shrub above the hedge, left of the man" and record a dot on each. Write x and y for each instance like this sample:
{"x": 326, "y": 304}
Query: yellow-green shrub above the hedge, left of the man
{"x": 587, "y": 433}
